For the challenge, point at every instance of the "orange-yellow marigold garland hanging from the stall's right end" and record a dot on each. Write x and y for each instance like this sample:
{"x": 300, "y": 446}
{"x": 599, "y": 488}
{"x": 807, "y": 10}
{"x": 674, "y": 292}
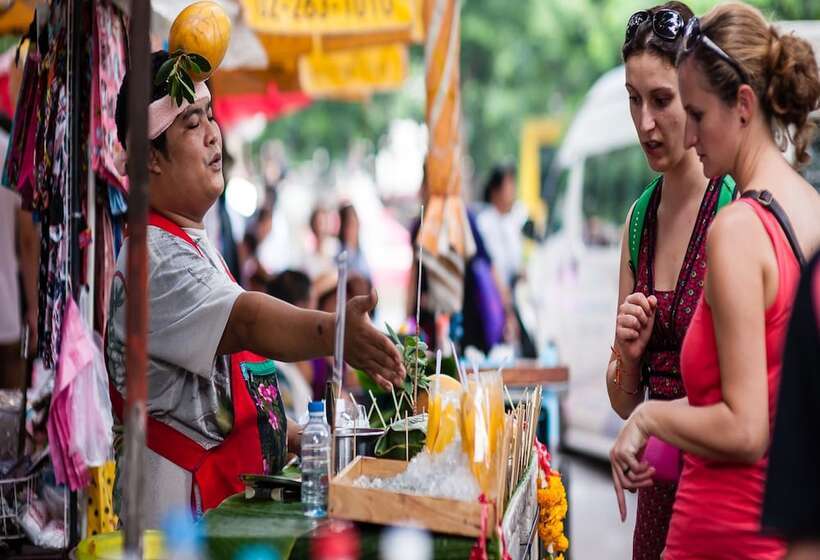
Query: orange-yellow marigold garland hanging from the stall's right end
{"x": 552, "y": 504}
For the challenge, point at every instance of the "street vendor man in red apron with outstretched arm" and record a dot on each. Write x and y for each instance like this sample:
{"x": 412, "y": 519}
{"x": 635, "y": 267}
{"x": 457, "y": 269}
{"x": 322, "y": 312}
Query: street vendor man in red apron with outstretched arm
{"x": 214, "y": 409}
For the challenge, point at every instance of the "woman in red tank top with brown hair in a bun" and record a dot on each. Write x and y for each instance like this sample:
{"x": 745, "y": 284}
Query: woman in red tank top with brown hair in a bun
{"x": 740, "y": 82}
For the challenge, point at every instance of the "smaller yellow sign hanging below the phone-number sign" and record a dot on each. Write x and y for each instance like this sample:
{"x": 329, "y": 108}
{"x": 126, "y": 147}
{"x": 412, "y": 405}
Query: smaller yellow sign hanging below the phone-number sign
{"x": 353, "y": 72}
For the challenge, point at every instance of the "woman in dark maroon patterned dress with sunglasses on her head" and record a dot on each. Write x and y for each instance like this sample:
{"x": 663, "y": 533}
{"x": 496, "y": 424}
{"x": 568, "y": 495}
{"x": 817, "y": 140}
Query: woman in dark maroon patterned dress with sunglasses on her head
{"x": 660, "y": 289}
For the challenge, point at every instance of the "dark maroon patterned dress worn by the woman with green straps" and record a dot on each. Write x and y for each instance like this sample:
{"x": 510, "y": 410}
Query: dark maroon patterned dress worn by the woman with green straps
{"x": 661, "y": 373}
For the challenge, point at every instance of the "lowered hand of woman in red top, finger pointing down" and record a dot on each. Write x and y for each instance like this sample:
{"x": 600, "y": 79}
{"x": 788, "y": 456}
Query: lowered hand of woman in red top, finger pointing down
{"x": 628, "y": 471}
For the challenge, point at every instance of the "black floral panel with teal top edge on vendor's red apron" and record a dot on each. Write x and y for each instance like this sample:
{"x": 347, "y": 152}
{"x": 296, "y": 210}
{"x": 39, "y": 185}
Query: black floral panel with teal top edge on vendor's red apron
{"x": 261, "y": 379}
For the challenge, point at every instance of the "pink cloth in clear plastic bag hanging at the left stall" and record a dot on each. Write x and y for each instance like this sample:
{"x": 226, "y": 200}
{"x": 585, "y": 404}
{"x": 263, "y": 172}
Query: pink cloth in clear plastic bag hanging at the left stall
{"x": 76, "y": 356}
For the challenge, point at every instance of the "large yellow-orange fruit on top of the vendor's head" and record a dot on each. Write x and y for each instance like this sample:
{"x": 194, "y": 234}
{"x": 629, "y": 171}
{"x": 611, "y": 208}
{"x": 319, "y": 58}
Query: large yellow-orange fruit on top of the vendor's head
{"x": 202, "y": 28}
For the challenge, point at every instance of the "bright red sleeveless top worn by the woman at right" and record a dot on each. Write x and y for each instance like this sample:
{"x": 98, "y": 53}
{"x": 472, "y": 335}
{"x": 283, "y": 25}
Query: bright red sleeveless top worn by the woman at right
{"x": 718, "y": 505}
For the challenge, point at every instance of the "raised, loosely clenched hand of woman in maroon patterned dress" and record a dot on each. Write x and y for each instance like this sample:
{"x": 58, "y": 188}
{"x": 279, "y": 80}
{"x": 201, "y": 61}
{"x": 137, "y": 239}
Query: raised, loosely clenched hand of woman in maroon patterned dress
{"x": 633, "y": 327}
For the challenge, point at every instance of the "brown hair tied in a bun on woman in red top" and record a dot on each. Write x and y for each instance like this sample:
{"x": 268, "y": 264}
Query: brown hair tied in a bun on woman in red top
{"x": 781, "y": 69}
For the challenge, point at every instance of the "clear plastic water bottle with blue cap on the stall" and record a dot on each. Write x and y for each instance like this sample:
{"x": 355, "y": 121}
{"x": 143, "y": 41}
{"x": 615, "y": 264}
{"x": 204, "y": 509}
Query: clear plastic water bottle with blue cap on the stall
{"x": 315, "y": 461}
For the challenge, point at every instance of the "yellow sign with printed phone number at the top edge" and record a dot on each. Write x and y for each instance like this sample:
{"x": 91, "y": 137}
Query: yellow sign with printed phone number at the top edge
{"x": 321, "y": 17}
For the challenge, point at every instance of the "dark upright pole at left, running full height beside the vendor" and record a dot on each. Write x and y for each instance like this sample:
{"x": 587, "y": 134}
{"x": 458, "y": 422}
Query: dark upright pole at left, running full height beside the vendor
{"x": 139, "y": 95}
